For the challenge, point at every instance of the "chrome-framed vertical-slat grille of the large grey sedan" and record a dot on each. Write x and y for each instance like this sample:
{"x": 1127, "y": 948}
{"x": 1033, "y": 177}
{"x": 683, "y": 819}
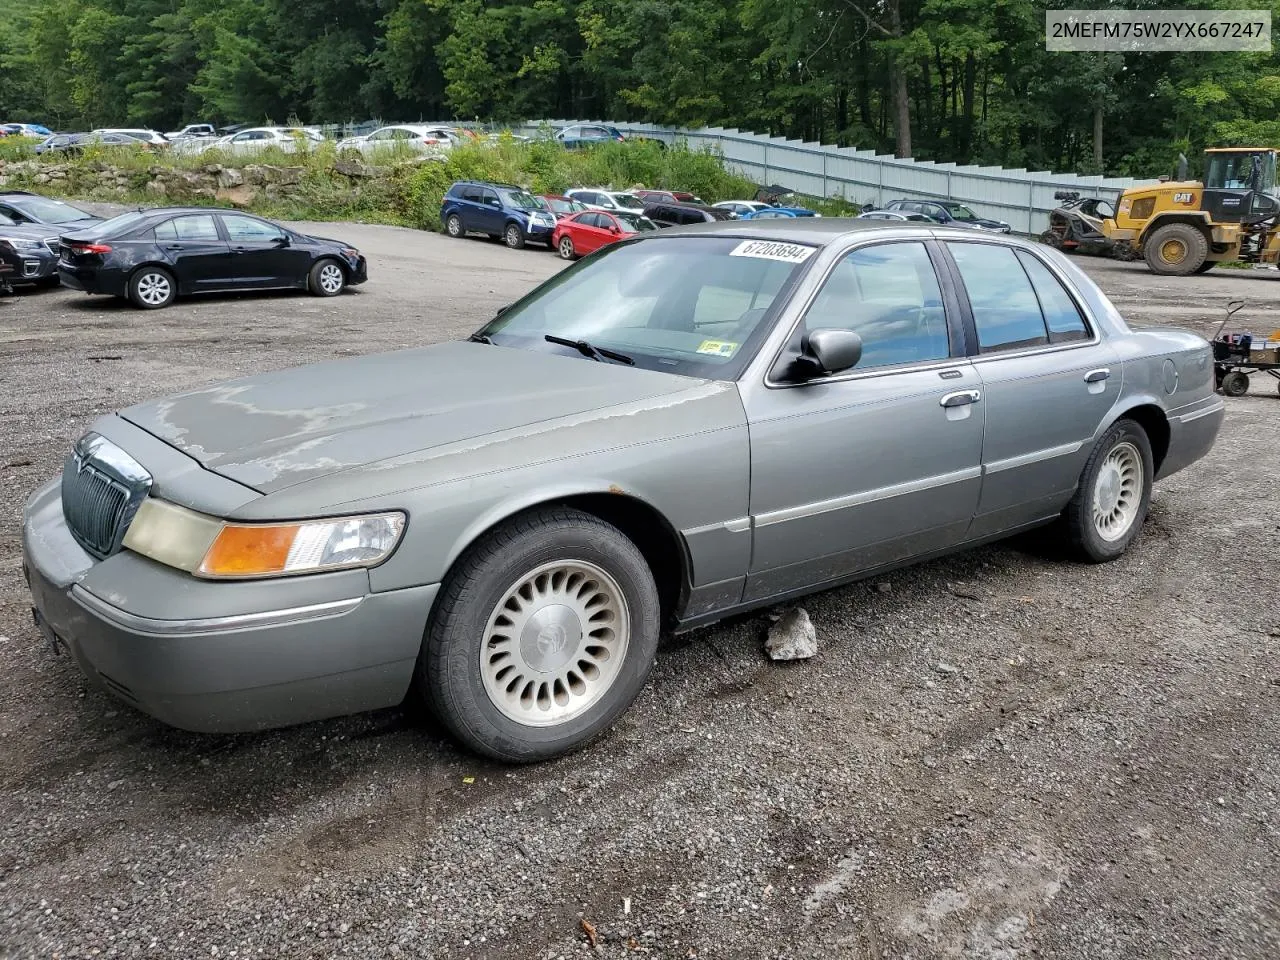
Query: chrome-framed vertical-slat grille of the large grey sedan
{"x": 102, "y": 491}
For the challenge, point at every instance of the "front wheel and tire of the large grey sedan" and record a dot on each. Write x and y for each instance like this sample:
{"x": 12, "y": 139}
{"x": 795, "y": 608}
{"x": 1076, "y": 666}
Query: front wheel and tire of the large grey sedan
{"x": 472, "y": 671}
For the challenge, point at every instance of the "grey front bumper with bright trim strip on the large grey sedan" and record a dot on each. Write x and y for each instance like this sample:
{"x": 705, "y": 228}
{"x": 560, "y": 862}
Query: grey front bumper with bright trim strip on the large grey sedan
{"x": 221, "y": 657}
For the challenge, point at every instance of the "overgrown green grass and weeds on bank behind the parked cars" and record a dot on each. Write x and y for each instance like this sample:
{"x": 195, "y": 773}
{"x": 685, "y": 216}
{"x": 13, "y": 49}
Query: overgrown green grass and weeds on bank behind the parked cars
{"x": 404, "y": 191}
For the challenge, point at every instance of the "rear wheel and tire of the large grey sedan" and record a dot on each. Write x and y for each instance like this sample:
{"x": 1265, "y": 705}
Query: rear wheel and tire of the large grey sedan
{"x": 1121, "y": 468}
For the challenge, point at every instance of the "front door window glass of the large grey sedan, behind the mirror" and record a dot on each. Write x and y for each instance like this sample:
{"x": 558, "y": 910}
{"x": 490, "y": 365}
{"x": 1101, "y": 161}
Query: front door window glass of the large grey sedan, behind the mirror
{"x": 890, "y": 296}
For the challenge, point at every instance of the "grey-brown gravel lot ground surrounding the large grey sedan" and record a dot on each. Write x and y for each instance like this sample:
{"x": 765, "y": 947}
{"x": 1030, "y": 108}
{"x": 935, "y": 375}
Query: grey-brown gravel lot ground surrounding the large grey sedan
{"x": 996, "y": 756}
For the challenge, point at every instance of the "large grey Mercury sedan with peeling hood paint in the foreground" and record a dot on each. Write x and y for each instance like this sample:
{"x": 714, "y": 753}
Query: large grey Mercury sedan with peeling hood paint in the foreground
{"x": 683, "y": 427}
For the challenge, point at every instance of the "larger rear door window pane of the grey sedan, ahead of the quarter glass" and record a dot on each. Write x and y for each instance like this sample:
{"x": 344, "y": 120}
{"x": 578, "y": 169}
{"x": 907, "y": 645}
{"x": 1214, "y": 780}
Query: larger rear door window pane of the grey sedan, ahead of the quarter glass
{"x": 1005, "y": 308}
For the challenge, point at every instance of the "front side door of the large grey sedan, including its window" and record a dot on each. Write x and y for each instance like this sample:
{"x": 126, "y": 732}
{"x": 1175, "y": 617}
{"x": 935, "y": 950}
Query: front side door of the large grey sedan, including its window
{"x": 877, "y": 464}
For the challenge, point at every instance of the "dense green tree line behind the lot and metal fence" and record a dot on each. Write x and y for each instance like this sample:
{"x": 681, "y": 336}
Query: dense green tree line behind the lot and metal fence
{"x": 967, "y": 81}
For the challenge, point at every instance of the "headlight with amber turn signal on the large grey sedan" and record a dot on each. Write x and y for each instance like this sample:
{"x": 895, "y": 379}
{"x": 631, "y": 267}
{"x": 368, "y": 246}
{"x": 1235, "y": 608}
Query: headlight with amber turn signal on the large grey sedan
{"x": 222, "y": 550}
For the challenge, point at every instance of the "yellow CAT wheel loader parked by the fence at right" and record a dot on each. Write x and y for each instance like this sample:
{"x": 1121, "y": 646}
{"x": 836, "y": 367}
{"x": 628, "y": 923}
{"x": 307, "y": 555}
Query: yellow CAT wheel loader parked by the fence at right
{"x": 1186, "y": 227}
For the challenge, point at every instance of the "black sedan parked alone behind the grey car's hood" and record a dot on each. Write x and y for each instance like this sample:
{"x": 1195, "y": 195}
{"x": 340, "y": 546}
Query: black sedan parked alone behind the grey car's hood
{"x": 157, "y": 255}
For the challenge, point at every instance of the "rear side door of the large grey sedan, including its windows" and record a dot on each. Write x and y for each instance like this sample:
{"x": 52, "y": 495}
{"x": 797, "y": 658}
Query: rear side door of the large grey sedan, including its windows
{"x": 1049, "y": 383}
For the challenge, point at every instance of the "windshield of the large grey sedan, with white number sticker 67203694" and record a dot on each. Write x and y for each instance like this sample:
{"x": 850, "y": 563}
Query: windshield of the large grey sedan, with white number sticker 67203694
{"x": 685, "y": 305}
